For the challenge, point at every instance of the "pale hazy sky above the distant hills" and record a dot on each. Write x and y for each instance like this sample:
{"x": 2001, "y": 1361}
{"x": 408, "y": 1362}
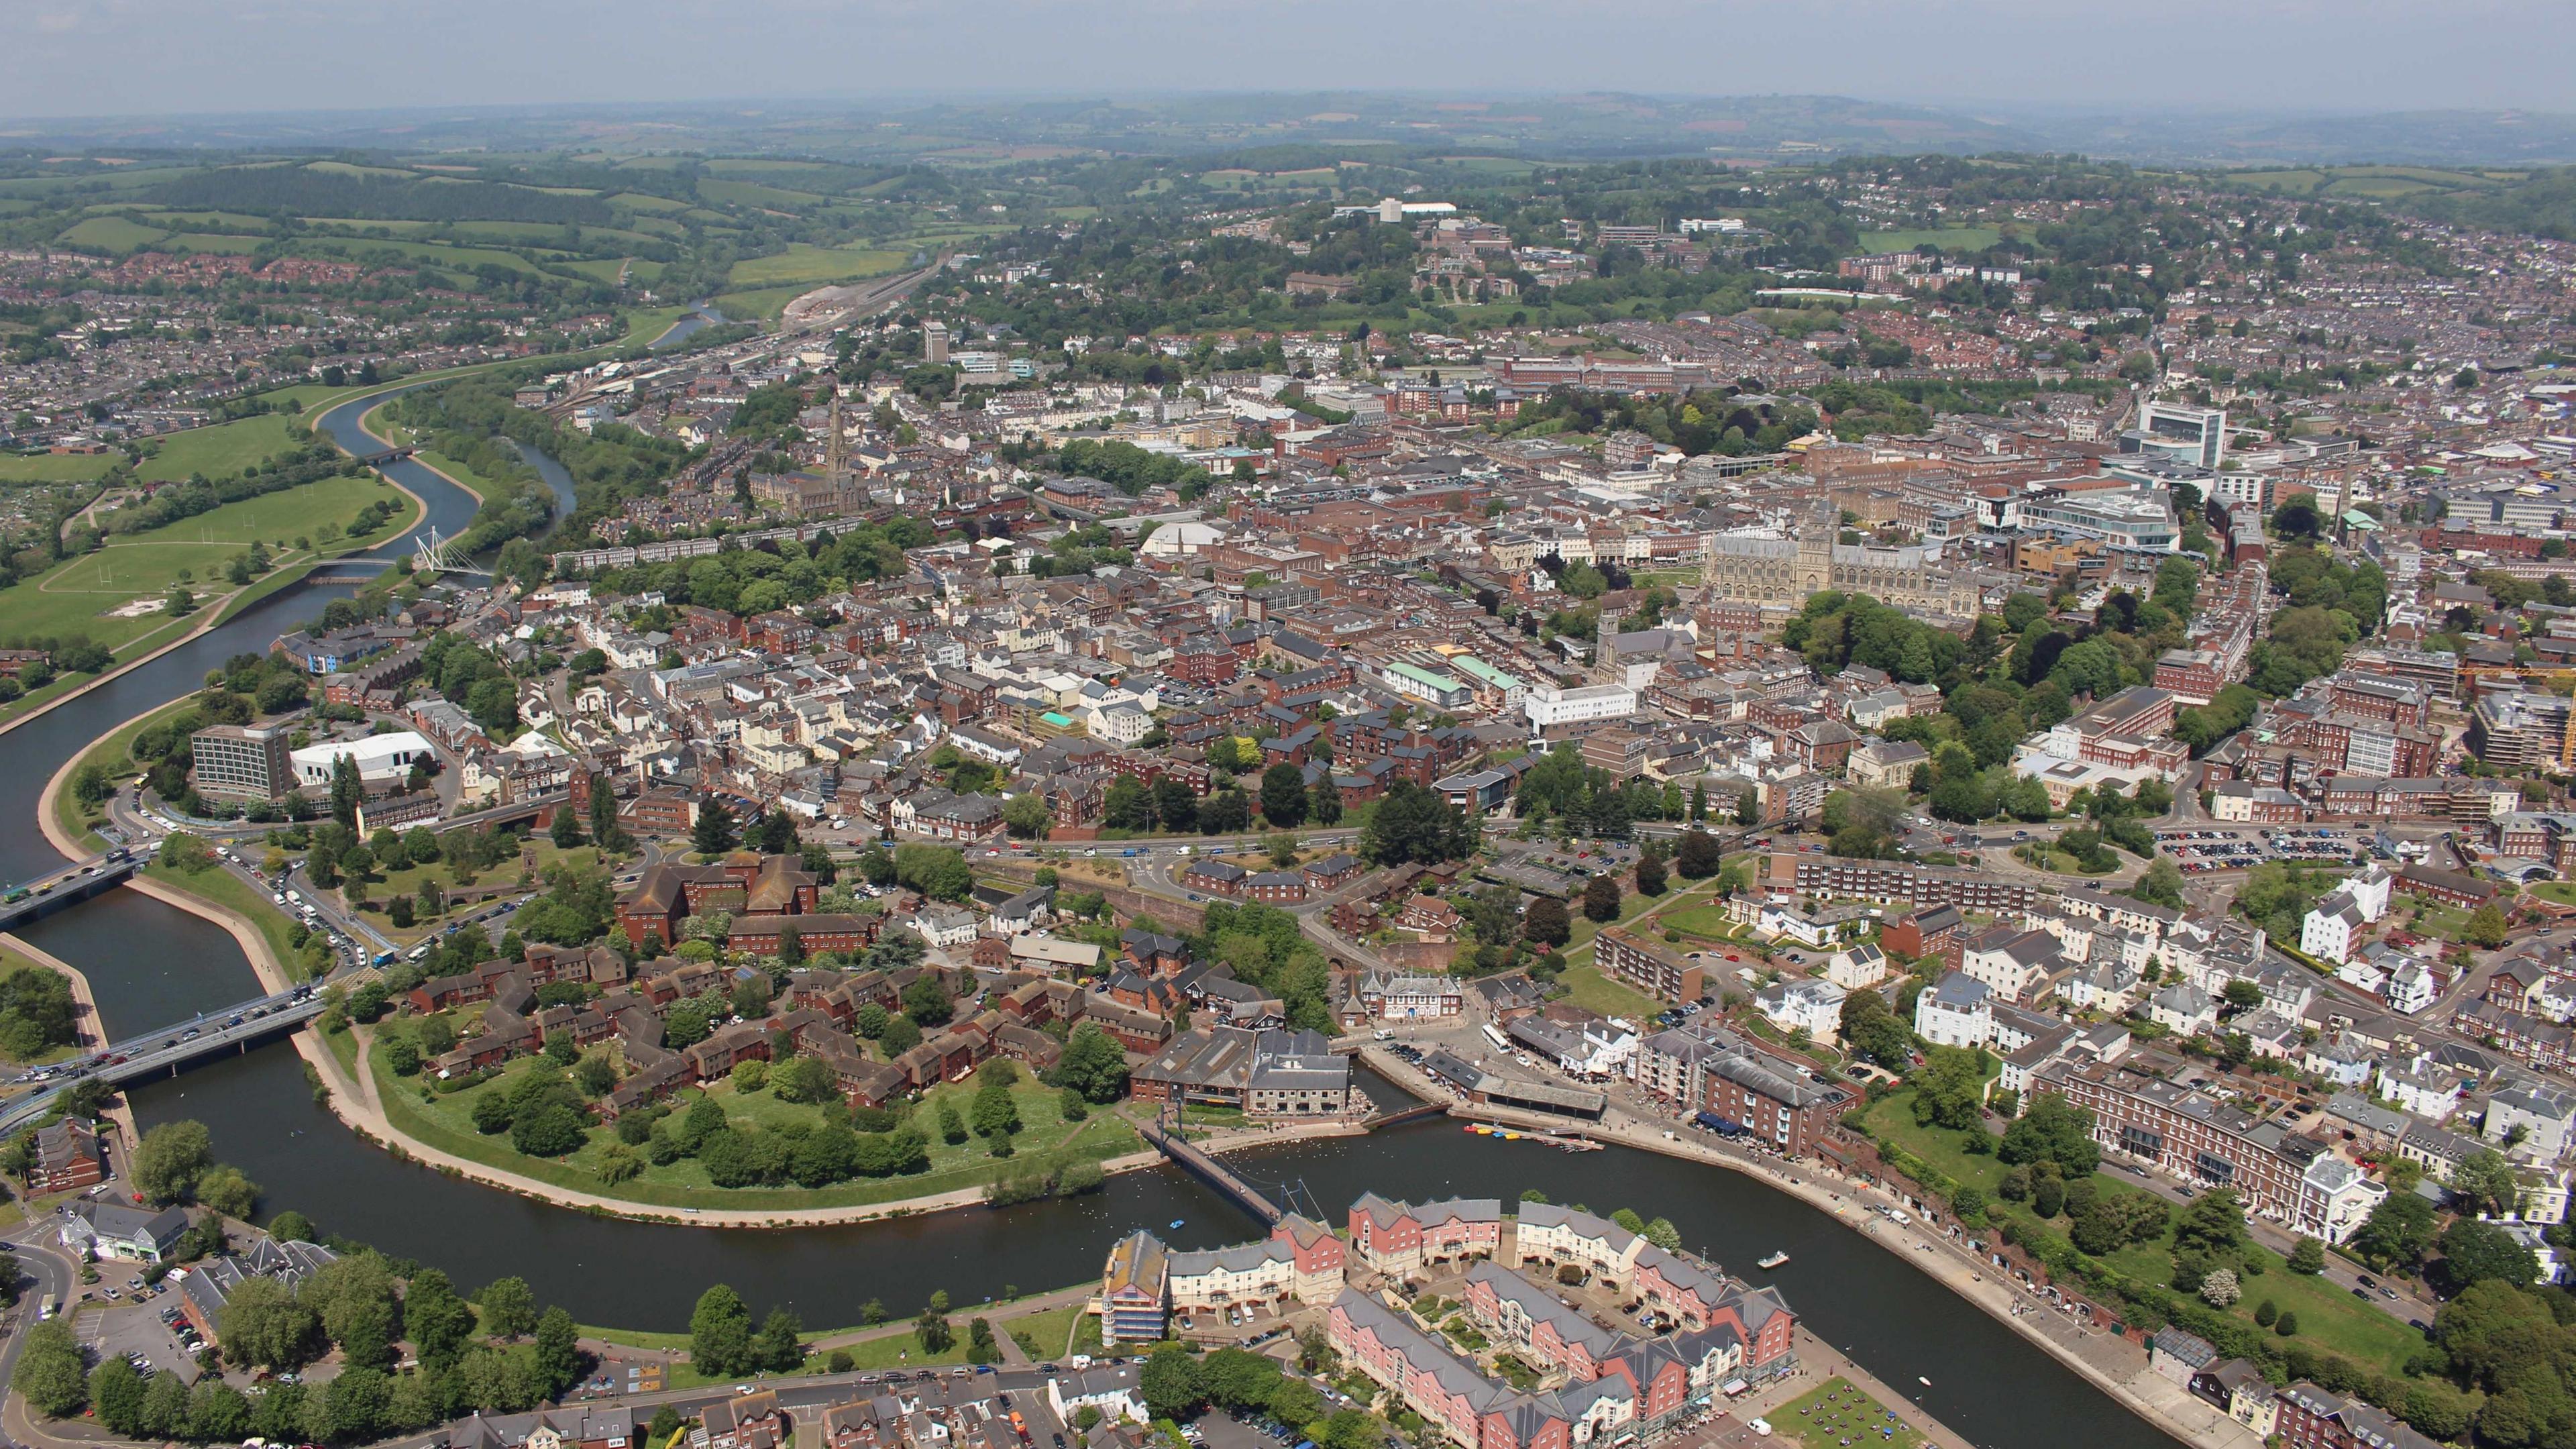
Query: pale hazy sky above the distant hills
{"x": 104, "y": 58}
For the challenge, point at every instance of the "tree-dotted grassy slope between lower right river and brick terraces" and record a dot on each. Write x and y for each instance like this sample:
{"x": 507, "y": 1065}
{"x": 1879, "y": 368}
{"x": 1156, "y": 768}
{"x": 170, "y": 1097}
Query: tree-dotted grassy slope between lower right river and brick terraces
{"x": 2327, "y": 1316}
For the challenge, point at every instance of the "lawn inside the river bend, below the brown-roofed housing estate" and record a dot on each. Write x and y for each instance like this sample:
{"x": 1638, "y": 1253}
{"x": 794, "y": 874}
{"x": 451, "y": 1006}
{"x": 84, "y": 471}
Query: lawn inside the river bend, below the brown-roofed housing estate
{"x": 447, "y": 1120}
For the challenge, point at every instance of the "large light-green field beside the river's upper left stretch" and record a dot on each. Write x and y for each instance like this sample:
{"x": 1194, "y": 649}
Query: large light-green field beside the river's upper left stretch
{"x": 84, "y": 594}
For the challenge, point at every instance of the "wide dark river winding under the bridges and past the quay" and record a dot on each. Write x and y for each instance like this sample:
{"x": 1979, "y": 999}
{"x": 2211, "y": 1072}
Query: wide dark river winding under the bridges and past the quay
{"x": 151, "y": 963}
